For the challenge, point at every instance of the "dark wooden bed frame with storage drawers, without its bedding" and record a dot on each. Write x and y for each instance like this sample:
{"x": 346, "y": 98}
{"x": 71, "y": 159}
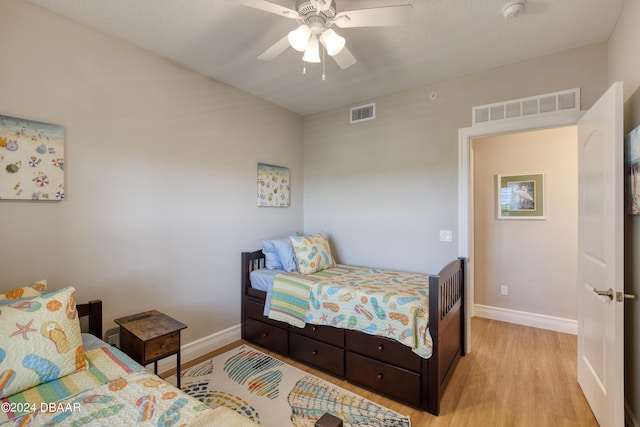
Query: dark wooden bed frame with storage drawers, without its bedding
{"x": 377, "y": 363}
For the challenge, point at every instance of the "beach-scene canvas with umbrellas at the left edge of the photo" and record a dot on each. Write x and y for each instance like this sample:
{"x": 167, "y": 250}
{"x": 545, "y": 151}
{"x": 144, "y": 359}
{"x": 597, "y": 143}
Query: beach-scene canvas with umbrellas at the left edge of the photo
{"x": 31, "y": 160}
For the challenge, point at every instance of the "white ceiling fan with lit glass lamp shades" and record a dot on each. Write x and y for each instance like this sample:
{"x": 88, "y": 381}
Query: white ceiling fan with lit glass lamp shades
{"x": 315, "y": 19}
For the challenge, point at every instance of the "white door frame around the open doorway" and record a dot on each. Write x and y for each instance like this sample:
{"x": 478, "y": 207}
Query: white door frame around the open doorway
{"x": 465, "y": 185}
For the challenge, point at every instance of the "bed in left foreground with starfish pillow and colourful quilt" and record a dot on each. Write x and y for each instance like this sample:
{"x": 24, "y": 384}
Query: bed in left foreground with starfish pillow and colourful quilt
{"x": 51, "y": 374}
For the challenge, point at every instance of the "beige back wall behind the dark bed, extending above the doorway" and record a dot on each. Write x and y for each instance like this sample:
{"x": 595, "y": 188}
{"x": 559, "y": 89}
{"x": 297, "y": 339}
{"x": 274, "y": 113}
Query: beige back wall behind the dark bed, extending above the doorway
{"x": 385, "y": 188}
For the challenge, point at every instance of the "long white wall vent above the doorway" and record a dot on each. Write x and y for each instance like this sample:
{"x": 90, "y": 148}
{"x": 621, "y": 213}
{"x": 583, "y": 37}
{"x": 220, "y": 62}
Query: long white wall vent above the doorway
{"x": 567, "y": 100}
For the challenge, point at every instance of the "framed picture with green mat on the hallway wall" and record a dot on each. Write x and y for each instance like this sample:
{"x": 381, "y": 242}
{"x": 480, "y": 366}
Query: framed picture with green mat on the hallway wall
{"x": 521, "y": 196}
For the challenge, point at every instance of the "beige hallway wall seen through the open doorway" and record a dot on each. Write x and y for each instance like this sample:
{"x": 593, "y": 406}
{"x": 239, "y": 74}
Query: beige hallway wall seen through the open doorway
{"x": 536, "y": 259}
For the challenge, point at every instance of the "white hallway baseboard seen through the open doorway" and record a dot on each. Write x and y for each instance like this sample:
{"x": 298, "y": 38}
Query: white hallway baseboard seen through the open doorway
{"x": 558, "y": 324}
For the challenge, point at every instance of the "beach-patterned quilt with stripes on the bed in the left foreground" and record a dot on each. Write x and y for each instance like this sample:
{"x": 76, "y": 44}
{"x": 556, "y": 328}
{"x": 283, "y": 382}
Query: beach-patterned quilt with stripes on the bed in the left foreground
{"x": 113, "y": 391}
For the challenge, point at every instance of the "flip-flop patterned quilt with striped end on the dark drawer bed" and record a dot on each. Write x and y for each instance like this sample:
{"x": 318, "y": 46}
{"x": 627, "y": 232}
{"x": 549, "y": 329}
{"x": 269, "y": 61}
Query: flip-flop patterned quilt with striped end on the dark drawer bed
{"x": 375, "y": 301}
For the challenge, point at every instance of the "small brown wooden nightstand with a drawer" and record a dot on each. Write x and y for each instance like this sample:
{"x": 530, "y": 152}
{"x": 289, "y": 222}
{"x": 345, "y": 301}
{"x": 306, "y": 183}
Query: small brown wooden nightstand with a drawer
{"x": 150, "y": 336}
